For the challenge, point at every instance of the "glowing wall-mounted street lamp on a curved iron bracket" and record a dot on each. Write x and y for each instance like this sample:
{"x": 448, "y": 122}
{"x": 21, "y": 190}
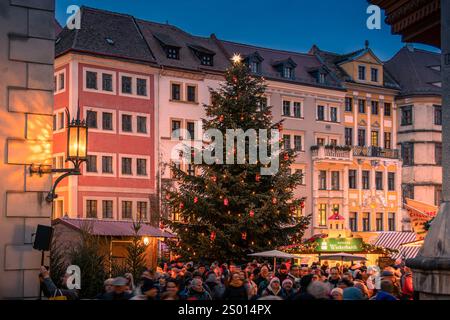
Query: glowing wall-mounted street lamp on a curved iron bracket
{"x": 77, "y": 139}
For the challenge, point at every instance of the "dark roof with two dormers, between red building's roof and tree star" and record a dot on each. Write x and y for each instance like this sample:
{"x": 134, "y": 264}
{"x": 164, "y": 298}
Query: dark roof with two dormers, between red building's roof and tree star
{"x": 188, "y": 45}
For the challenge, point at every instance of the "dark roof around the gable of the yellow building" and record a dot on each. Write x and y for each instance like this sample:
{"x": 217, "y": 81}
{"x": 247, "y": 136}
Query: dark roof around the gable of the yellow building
{"x": 334, "y": 60}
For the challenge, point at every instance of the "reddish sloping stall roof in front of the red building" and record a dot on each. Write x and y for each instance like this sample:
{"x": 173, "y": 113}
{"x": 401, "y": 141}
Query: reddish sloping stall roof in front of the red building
{"x": 112, "y": 227}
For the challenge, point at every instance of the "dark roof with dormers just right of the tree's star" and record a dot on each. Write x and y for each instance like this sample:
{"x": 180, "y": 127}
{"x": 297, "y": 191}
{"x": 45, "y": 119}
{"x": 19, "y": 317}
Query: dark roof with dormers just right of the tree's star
{"x": 271, "y": 57}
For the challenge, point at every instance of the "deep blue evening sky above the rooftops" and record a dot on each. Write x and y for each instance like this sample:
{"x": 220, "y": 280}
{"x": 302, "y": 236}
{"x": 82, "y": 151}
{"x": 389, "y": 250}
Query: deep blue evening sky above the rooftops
{"x": 295, "y": 25}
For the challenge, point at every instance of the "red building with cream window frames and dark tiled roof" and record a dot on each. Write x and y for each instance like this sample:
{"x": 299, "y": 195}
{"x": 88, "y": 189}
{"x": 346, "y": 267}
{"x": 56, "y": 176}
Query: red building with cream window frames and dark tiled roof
{"x": 110, "y": 79}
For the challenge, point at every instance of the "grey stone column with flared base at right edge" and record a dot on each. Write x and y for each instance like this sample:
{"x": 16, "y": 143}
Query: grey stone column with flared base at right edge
{"x": 431, "y": 268}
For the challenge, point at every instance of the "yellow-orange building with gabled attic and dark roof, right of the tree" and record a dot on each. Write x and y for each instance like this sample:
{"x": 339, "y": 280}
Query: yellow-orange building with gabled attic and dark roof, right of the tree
{"x": 373, "y": 174}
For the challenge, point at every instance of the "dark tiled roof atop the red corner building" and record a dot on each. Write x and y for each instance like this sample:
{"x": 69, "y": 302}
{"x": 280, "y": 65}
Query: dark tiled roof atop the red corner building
{"x": 99, "y": 25}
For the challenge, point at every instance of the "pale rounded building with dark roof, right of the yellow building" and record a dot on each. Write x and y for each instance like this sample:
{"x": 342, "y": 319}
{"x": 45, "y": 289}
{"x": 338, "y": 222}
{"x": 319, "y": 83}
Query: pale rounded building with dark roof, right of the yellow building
{"x": 420, "y": 122}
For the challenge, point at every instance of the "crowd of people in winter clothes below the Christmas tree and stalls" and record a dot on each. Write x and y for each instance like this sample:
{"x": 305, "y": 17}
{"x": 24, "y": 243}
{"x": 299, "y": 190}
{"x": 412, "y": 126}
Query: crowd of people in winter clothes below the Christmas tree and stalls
{"x": 254, "y": 281}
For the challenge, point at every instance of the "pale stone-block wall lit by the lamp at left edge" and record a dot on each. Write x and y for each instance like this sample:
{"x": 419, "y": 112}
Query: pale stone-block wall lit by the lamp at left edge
{"x": 26, "y": 104}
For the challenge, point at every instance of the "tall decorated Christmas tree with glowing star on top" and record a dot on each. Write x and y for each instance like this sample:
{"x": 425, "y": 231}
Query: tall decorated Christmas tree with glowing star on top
{"x": 227, "y": 211}
